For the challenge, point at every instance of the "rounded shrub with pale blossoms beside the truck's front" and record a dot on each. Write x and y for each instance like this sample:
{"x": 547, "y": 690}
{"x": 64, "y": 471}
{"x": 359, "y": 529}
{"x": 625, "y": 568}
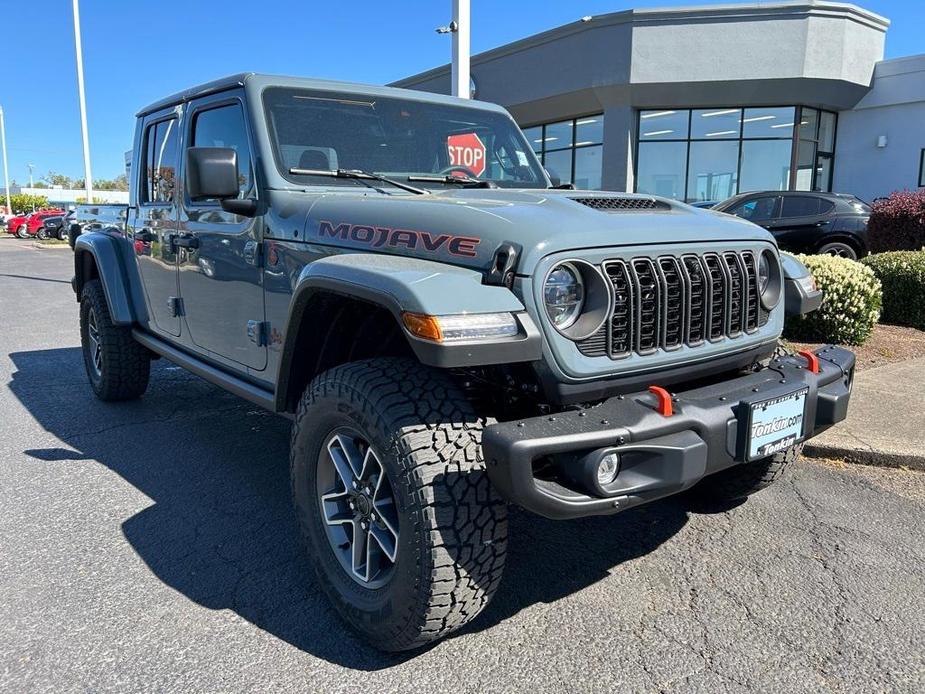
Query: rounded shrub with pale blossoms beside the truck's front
{"x": 850, "y": 307}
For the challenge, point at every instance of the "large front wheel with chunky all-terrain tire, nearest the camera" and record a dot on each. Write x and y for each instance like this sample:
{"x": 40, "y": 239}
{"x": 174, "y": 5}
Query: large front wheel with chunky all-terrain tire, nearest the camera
{"x": 450, "y": 526}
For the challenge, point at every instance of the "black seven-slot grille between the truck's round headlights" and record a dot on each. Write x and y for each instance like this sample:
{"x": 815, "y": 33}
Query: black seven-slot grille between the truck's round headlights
{"x": 669, "y": 301}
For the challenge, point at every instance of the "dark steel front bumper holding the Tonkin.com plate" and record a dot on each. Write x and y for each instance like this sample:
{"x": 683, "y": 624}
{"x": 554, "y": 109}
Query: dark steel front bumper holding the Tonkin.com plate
{"x": 661, "y": 455}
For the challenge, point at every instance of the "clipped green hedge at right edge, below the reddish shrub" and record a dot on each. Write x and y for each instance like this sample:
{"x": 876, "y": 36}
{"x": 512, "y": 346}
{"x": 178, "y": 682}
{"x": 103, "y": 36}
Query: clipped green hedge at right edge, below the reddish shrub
{"x": 902, "y": 274}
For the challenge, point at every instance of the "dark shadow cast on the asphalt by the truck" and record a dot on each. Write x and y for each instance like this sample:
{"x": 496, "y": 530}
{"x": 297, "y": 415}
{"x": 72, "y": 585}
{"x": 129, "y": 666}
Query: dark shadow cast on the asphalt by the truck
{"x": 220, "y": 529}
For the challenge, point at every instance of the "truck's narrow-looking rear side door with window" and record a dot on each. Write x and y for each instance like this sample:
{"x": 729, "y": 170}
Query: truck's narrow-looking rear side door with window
{"x": 156, "y": 224}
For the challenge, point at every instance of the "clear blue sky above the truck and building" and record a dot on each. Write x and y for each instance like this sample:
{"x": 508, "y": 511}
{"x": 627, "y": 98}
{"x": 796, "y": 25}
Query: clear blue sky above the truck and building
{"x": 136, "y": 52}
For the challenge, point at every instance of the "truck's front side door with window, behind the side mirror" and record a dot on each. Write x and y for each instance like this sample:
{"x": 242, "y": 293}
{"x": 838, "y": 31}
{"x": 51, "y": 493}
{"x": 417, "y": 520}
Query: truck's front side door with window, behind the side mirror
{"x": 221, "y": 278}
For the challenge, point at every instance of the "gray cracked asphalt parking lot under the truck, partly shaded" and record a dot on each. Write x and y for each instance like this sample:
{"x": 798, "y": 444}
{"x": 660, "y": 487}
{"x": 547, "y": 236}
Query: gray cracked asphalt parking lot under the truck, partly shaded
{"x": 150, "y": 545}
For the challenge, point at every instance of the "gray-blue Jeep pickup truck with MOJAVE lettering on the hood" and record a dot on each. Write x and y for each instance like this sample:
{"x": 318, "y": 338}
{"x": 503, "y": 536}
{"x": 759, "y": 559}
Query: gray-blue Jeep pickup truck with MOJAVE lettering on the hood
{"x": 448, "y": 331}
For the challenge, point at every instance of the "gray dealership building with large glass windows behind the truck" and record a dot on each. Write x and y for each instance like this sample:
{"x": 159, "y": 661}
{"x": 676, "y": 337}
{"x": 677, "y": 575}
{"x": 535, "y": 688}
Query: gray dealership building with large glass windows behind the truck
{"x": 701, "y": 103}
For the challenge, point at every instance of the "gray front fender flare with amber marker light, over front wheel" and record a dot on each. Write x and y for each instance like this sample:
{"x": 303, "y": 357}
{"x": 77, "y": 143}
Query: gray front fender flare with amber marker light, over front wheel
{"x": 361, "y": 295}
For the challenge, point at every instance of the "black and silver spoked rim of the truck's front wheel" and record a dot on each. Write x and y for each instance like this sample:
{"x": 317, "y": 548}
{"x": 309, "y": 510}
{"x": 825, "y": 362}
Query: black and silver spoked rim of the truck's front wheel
{"x": 357, "y": 505}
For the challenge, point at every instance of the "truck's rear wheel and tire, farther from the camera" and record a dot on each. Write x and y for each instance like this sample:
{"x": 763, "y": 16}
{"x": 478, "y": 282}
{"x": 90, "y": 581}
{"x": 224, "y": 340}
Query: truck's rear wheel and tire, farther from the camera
{"x": 118, "y": 367}
